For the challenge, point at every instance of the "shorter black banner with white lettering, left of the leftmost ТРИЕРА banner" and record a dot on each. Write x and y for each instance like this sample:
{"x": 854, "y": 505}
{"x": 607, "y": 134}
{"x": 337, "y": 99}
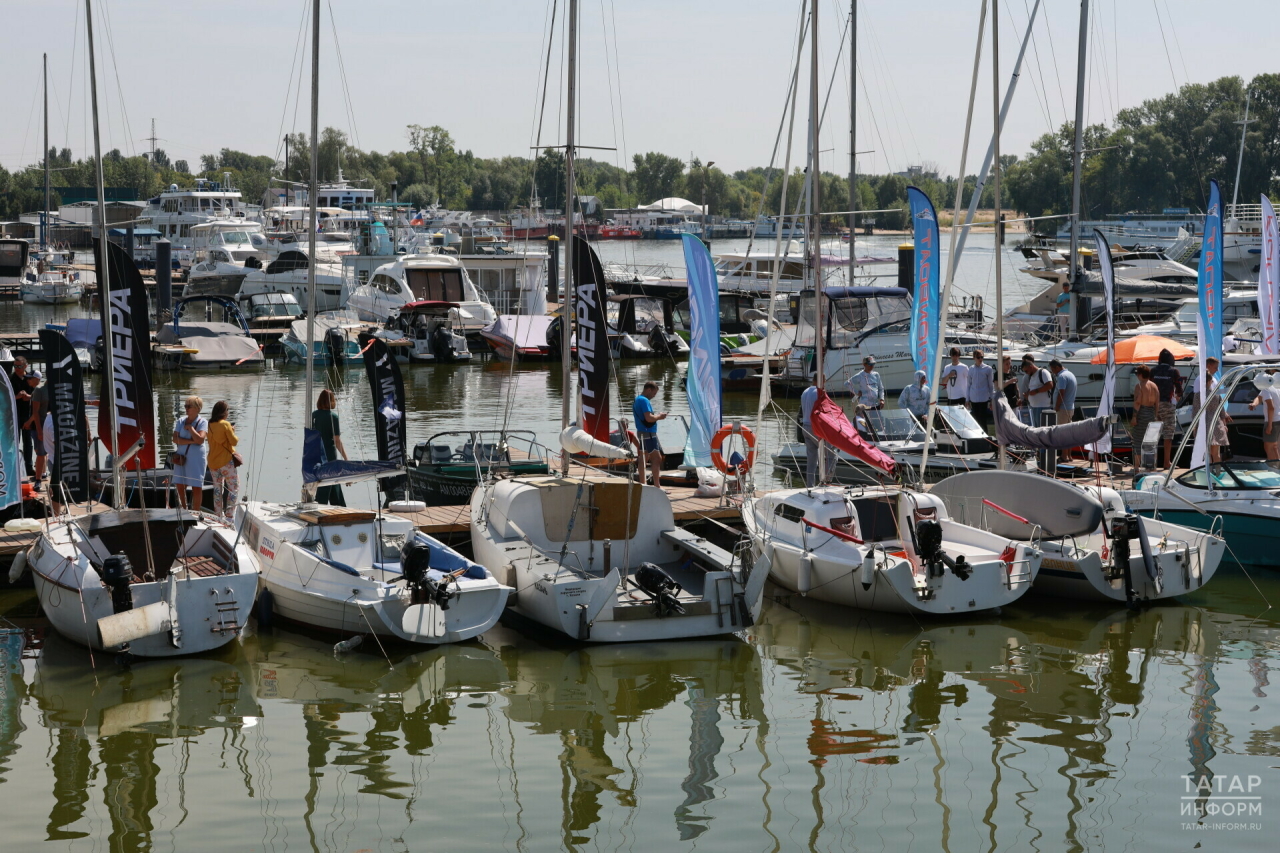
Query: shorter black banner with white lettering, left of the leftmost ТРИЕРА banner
{"x": 66, "y": 386}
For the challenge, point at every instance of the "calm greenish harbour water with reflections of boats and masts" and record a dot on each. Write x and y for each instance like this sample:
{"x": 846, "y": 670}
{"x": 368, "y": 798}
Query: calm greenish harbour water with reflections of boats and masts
{"x": 1045, "y": 728}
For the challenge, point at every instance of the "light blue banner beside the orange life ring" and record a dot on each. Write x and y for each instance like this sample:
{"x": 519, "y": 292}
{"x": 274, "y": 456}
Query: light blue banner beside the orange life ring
{"x": 703, "y": 381}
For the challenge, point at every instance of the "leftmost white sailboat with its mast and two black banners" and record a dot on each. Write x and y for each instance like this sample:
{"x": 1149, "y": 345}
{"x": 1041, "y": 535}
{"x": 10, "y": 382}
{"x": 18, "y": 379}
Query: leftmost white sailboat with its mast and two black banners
{"x": 156, "y": 583}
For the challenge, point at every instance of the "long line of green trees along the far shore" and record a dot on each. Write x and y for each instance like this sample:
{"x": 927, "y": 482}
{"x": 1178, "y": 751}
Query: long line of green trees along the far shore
{"x": 1160, "y": 154}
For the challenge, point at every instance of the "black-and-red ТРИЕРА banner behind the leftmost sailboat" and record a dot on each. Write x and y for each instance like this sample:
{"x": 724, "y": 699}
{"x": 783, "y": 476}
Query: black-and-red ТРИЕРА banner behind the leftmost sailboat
{"x": 129, "y": 332}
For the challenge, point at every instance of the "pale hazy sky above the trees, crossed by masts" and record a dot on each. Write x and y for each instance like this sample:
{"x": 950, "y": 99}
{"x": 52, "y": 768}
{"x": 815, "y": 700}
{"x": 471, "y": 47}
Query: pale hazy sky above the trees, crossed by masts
{"x": 692, "y": 79}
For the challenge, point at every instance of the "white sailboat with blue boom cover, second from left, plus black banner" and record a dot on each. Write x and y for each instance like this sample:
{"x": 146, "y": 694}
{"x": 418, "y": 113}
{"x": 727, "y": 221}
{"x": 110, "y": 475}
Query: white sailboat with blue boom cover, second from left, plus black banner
{"x": 363, "y": 572}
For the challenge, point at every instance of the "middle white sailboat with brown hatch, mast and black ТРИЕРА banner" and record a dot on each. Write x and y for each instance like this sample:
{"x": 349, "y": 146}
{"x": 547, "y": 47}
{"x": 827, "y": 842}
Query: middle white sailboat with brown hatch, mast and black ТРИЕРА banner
{"x": 592, "y": 556}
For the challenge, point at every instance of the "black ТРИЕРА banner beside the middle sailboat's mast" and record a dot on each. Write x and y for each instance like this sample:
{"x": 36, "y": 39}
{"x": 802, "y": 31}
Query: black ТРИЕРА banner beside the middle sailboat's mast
{"x": 593, "y": 340}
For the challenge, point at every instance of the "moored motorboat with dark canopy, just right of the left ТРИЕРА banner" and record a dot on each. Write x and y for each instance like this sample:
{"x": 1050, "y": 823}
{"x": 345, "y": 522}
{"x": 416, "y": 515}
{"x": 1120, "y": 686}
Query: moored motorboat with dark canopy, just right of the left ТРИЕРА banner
{"x": 207, "y": 334}
